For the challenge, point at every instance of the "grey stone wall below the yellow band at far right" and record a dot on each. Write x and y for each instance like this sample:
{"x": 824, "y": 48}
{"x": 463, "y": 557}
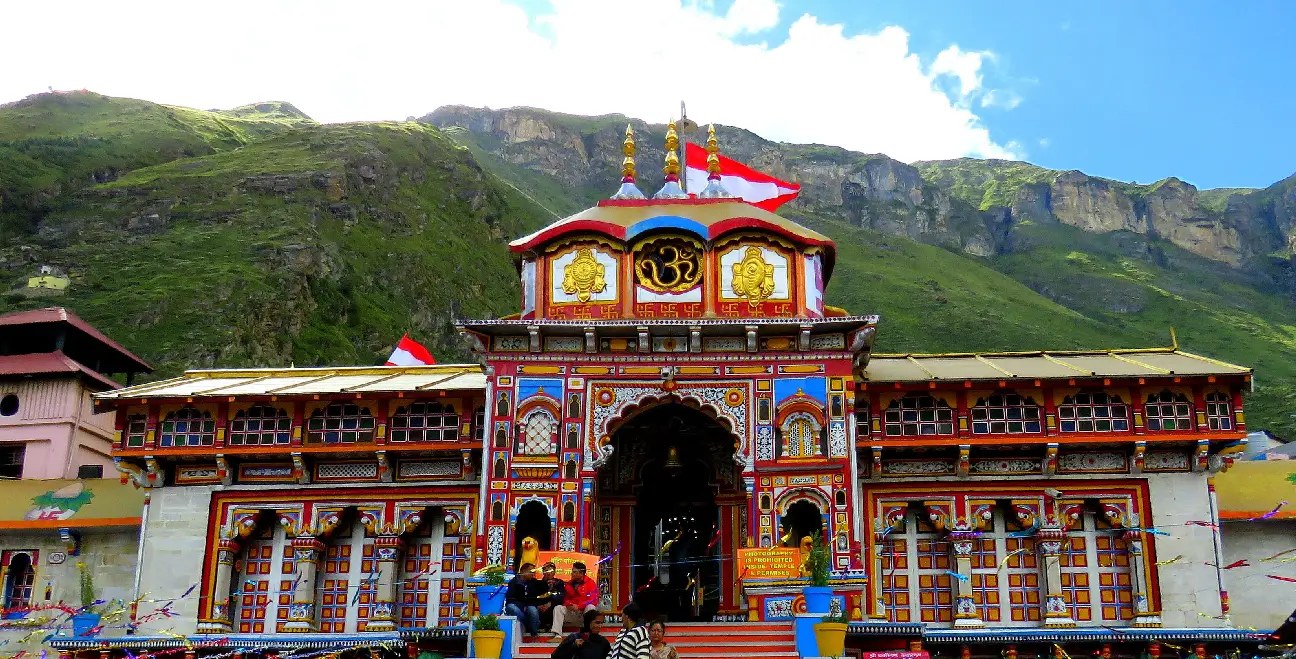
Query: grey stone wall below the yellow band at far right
{"x": 1255, "y": 600}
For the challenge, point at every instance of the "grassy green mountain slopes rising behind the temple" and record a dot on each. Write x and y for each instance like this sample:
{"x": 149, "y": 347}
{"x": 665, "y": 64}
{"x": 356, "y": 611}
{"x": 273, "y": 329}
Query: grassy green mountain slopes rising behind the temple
{"x": 257, "y": 237}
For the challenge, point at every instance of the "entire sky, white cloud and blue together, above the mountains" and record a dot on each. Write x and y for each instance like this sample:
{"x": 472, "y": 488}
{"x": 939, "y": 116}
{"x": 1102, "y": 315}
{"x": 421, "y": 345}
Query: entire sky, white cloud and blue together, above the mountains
{"x": 1132, "y": 91}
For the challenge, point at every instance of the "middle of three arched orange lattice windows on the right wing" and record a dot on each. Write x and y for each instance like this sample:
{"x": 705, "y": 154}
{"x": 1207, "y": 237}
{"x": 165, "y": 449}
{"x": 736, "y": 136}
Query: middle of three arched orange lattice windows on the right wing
{"x": 1005, "y": 577}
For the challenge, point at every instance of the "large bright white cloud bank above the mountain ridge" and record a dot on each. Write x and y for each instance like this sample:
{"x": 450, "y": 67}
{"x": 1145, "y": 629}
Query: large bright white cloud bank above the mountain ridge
{"x": 389, "y": 59}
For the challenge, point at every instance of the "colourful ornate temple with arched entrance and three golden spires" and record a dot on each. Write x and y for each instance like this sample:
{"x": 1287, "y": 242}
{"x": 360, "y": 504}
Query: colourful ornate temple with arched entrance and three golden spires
{"x": 673, "y": 391}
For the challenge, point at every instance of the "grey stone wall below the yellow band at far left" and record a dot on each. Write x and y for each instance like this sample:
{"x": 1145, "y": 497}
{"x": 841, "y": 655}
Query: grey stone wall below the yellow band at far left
{"x": 110, "y": 555}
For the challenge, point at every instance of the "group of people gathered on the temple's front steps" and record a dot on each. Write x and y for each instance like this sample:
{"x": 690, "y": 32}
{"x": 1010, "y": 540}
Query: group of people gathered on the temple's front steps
{"x": 538, "y": 599}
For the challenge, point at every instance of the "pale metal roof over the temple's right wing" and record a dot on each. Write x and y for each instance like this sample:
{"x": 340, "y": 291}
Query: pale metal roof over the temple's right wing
{"x": 1044, "y": 366}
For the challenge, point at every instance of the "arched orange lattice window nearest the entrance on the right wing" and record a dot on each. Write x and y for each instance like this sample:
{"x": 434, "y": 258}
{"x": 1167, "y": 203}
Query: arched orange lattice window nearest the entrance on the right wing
{"x": 917, "y": 584}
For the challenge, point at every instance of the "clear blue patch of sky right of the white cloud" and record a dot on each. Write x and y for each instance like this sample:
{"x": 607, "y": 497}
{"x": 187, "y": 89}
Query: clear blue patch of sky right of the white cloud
{"x": 1133, "y": 91}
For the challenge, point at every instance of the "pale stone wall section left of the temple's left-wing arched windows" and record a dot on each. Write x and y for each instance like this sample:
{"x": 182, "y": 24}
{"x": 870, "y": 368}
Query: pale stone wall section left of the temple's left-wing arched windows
{"x": 174, "y": 549}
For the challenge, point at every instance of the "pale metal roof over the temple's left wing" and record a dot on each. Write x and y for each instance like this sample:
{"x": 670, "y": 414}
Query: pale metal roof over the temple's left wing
{"x": 299, "y": 382}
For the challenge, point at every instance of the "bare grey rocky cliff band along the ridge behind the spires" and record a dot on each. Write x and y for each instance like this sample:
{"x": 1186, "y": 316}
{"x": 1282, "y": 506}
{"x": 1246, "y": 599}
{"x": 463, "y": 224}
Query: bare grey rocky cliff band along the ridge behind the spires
{"x": 969, "y": 206}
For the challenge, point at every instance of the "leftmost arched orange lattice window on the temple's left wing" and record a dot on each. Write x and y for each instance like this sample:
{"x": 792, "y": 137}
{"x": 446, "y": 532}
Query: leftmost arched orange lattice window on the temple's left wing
{"x": 262, "y": 578}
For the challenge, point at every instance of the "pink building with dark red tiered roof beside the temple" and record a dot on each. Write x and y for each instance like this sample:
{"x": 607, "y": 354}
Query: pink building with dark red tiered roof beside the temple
{"x": 51, "y": 363}
